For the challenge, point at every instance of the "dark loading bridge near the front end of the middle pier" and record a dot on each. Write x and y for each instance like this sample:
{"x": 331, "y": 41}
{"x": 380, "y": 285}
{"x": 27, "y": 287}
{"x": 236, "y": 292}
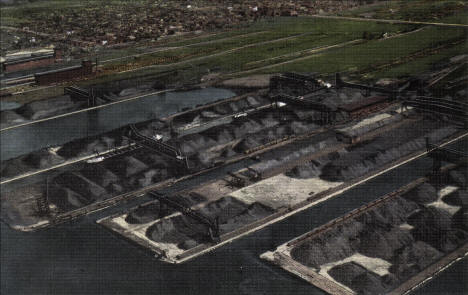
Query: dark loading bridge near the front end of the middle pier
{"x": 212, "y": 225}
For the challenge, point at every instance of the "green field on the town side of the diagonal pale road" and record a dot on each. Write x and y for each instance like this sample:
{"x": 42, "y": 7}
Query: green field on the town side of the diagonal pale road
{"x": 245, "y": 52}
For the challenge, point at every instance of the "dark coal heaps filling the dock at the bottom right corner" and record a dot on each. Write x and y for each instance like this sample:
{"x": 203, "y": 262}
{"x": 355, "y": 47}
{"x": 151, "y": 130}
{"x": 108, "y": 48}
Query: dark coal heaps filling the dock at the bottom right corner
{"x": 409, "y": 231}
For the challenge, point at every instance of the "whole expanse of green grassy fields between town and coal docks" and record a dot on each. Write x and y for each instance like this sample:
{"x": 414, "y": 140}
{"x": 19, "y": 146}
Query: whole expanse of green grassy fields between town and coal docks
{"x": 290, "y": 44}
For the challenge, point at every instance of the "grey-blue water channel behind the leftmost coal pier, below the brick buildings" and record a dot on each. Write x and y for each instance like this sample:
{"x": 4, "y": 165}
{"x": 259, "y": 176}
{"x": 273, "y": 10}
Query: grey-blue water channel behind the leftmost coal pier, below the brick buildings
{"x": 18, "y": 141}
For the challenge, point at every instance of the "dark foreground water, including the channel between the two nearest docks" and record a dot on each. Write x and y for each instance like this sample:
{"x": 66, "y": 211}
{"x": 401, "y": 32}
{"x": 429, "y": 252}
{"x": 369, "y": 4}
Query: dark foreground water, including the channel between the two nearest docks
{"x": 84, "y": 258}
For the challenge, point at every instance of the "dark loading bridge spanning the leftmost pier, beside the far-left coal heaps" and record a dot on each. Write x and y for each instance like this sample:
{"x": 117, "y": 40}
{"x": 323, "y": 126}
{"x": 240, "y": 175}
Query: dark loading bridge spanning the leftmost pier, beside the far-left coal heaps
{"x": 158, "y": 146}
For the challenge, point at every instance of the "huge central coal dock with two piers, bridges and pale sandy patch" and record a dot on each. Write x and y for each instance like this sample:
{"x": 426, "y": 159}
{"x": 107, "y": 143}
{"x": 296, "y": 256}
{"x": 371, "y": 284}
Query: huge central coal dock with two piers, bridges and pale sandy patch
{"x": 297, "y": 143}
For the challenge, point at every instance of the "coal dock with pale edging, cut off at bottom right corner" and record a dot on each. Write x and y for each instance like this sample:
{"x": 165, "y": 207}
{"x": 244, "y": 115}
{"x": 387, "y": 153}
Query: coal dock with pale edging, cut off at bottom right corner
{"x": 390, "y": 246}
